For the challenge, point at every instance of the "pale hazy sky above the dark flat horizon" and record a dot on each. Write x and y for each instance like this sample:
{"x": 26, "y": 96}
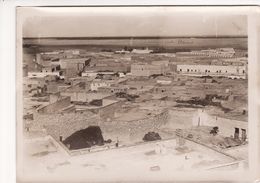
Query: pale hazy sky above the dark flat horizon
{"x": 133, "y": 22}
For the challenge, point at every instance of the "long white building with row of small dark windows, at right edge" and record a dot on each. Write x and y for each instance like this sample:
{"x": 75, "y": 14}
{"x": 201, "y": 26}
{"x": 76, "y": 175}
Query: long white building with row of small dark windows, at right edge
{"x": 238, "y": 72}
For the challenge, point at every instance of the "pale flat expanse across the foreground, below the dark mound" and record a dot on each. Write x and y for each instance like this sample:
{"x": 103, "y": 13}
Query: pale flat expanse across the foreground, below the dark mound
{"x": 145, "y": 160}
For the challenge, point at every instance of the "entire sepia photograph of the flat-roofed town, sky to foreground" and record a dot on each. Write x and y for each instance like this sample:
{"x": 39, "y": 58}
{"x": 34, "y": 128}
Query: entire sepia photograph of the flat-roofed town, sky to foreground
{"x": 131, "y": 93}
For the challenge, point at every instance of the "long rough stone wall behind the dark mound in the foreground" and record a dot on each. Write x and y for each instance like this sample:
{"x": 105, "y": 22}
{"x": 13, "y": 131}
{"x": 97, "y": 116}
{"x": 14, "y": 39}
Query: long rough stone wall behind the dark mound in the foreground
{"x": 66, "y": 124}
